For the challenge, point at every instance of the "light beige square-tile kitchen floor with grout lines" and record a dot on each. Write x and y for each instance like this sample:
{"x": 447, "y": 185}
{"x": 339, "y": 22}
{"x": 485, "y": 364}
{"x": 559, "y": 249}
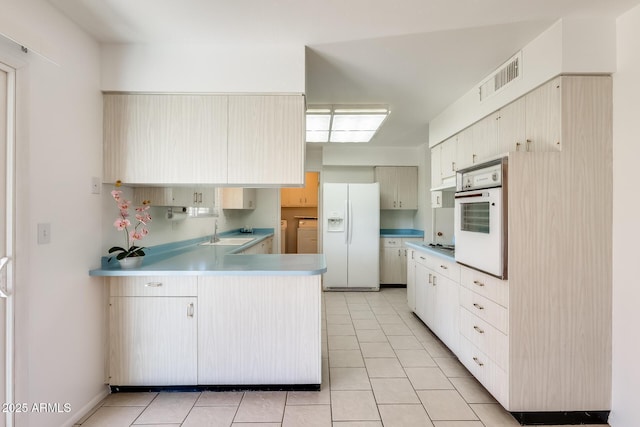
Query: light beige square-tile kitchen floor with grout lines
{"x": 381, "y": 367}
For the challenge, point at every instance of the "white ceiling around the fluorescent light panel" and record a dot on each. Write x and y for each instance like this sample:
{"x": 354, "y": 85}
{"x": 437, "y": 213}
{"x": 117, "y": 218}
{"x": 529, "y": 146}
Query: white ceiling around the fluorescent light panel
{"x": 417, "y": 56}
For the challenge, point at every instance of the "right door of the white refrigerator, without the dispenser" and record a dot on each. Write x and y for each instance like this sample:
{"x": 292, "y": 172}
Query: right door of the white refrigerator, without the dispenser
{"x": 364, "y": 236}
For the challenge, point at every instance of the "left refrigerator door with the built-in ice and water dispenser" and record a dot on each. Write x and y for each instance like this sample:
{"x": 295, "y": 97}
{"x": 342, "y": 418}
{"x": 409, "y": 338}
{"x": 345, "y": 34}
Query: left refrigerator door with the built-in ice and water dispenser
{"x": 334, "y": 234}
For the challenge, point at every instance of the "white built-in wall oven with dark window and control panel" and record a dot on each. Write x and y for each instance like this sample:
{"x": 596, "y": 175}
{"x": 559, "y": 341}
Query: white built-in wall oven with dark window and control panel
{"x": 480, "y": 217}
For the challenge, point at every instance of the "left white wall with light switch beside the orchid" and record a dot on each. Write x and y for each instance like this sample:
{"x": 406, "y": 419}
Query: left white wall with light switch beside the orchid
{"x": 60, "y": 320}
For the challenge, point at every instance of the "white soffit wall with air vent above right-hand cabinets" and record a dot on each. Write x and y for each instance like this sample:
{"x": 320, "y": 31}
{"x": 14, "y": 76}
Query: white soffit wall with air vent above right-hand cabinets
{"x": 570, "y": 46}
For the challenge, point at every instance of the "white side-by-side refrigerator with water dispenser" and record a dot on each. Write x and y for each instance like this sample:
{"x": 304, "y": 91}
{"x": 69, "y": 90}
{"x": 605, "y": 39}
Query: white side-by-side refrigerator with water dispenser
{"x": 351, "y": 236}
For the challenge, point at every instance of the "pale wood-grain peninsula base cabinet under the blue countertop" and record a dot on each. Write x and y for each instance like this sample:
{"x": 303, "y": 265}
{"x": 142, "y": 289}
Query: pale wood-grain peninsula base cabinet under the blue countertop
{"x": 215, "y": 330}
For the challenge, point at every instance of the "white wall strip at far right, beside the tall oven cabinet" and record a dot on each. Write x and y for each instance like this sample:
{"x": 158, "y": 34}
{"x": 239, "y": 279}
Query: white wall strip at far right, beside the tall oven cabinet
{"x": 626, "y": 232}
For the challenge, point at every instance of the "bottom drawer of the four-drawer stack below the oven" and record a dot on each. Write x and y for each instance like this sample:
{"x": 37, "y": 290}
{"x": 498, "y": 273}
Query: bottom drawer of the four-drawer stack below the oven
{"x": 494, "y": 379}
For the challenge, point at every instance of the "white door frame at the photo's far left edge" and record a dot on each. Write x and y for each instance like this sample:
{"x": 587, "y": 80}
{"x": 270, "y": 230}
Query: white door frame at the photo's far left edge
{"x": 10, "y": 239}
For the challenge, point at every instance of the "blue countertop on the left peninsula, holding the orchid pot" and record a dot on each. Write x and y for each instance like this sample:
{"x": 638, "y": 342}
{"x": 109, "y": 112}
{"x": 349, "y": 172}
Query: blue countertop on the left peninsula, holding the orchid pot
{"x": 190, "y": 258}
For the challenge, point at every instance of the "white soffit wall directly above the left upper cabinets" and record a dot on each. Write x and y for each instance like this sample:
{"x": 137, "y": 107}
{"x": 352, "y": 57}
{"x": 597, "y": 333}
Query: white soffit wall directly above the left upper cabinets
{"x": 226, "y": 67}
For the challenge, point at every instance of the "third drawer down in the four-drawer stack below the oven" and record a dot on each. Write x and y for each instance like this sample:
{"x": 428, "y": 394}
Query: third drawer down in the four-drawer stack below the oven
{"x": 485, "y": 337}
